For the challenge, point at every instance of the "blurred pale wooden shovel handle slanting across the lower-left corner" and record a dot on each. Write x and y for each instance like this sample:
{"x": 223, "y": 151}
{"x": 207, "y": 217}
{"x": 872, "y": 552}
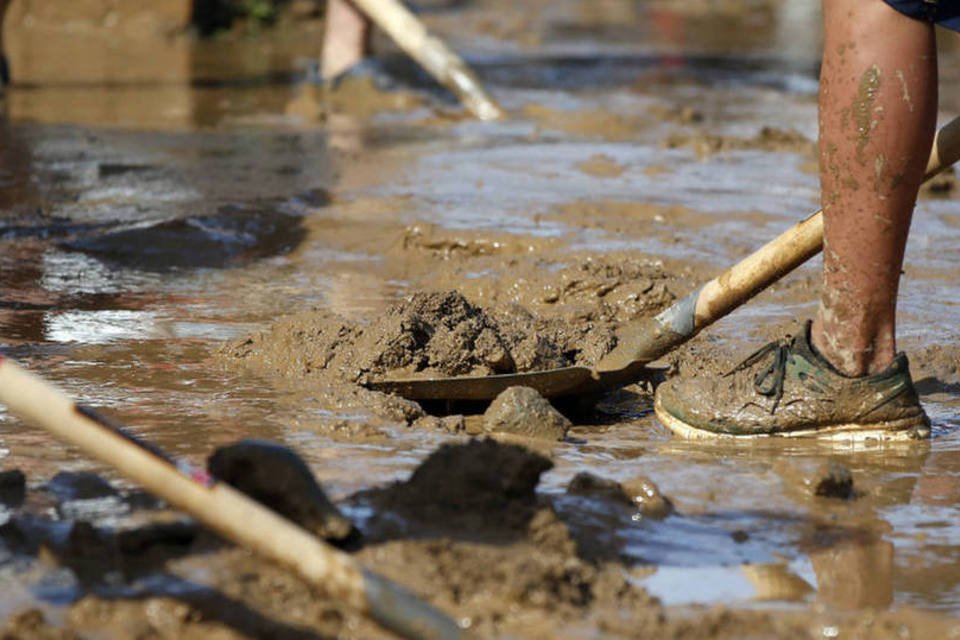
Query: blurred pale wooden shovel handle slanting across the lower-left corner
{"x": 221, "y": 508}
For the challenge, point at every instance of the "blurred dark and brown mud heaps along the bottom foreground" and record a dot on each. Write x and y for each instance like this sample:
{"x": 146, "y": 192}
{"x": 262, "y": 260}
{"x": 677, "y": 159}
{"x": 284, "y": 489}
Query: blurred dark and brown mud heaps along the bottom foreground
{"x": 468, "y": 531}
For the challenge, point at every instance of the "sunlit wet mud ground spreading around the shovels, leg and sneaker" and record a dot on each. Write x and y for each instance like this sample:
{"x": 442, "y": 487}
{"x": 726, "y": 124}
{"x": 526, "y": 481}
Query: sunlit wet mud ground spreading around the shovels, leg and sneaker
{"x": 148, "y": 222}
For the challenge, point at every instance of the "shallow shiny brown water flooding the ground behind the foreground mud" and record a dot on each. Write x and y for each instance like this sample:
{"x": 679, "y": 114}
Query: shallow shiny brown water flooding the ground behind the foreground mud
{"x": 148, "y": 218}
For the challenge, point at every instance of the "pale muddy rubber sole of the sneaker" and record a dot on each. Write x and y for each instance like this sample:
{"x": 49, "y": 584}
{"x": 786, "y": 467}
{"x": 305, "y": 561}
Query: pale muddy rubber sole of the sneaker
{"x": 894, "y": 430}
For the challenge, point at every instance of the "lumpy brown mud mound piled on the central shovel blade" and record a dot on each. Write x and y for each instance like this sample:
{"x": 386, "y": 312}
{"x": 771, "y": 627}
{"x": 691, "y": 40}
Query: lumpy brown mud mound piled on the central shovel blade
{"x": 427, "y": 334}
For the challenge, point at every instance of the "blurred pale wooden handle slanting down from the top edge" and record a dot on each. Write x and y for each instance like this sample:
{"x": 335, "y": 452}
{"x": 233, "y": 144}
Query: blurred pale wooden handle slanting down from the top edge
{"x": 433, "y": 55}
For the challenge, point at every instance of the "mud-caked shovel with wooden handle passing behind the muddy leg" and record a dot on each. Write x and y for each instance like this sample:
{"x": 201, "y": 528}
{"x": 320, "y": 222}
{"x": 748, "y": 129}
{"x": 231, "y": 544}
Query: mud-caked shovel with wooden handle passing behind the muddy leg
{"x": 641, "y": 342}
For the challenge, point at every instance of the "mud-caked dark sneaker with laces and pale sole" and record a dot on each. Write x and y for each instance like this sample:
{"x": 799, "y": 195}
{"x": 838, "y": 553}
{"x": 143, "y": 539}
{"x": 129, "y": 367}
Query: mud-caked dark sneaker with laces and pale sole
{"x": 786, "y": 389}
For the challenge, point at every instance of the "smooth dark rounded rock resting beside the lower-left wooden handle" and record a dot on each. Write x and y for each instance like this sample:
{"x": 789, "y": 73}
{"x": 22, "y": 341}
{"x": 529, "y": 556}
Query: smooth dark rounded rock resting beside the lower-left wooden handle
{"x": 278, "y": 478}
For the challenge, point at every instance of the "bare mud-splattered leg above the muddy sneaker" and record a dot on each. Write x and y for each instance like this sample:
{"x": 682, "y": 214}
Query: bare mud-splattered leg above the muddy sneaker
{"x": 878, "y": 101}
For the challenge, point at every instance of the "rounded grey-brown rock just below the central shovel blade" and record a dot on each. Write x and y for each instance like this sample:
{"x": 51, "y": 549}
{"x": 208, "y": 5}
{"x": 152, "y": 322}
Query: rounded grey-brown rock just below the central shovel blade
{"x": 523, "y": 411}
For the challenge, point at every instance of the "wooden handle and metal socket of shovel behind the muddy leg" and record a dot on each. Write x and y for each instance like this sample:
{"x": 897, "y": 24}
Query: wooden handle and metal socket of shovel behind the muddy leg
{"x": 649, "y": 339}
